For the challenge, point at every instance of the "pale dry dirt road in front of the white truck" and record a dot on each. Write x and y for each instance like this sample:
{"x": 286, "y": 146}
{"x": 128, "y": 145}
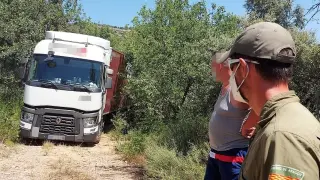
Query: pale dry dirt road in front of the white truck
{"x": 50, "y": 161}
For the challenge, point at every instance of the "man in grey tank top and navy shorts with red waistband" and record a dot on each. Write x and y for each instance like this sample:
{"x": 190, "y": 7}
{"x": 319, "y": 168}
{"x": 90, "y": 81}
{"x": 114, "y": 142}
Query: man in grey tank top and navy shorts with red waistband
{"x": 230, "y": 127}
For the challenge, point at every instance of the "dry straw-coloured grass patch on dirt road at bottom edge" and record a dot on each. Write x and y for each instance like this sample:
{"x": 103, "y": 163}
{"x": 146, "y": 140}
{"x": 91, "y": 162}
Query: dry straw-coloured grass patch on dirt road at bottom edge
{"x": 65, "y": 170}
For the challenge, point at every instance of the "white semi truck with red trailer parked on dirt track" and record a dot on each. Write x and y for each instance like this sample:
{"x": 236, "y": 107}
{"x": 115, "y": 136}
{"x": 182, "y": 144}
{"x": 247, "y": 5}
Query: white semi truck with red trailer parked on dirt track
{"x": 70, "y": 85}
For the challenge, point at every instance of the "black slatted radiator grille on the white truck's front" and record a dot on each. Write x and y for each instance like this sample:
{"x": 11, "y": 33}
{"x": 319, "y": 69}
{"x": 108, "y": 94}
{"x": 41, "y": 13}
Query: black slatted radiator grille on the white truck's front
{"x": 53, "y": 124}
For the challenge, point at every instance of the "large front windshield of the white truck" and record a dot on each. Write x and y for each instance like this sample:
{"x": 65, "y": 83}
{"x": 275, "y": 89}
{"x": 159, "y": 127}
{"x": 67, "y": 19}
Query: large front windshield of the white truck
{"x": 65, "y": 73}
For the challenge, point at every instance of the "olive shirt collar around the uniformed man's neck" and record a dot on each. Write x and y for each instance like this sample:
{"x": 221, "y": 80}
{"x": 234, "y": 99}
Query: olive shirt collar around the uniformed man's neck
{"x": 274, "y": 104}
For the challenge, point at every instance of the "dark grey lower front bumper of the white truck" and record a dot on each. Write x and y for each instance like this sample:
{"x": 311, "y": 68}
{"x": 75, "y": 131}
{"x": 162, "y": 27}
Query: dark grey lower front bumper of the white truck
{"x": 37, "y": 129}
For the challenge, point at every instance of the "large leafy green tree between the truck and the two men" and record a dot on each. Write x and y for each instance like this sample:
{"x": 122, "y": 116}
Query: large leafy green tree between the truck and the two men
{"x": 171, "y": 86}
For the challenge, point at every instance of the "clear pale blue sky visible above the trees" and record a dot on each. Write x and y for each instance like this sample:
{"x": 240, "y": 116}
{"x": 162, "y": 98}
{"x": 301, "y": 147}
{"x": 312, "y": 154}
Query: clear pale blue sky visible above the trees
{"x": 121, "y": 12}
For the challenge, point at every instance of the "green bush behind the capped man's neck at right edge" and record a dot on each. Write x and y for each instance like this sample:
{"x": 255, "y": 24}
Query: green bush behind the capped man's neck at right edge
{"x": 305, "y": 80}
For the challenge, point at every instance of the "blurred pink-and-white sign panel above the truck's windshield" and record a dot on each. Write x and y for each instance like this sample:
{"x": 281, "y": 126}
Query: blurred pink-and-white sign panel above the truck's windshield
{"x": 68, "y": 49}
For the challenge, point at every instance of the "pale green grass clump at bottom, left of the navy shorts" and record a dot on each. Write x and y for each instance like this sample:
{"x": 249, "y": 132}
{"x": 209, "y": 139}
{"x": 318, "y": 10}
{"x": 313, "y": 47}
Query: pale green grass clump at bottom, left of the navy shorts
{"x": 167, "y": 163}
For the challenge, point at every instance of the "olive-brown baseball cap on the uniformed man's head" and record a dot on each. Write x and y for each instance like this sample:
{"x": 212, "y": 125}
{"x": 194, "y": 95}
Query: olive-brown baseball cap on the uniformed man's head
{"x": 263, "y": 40}
